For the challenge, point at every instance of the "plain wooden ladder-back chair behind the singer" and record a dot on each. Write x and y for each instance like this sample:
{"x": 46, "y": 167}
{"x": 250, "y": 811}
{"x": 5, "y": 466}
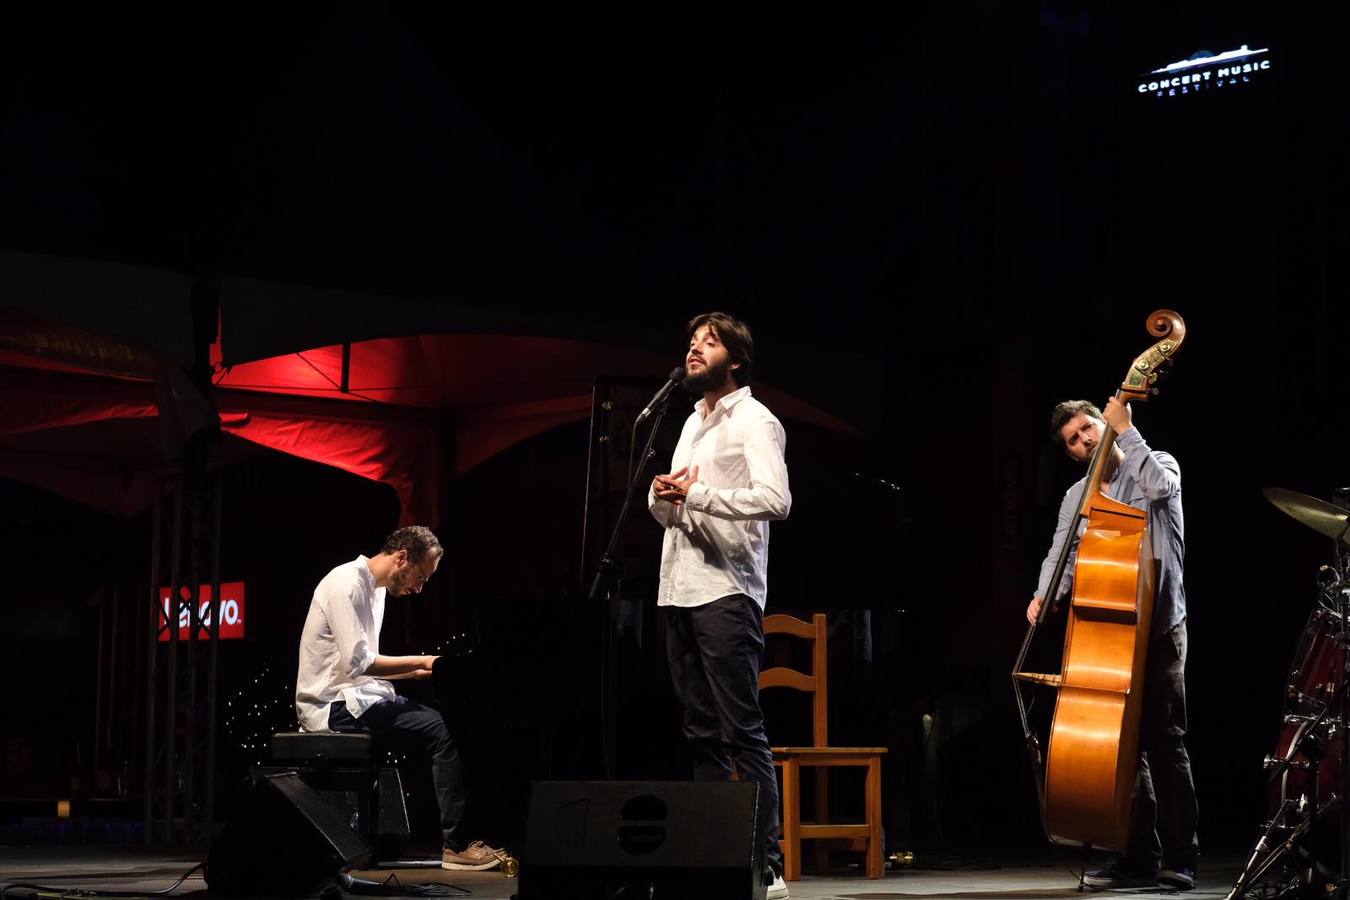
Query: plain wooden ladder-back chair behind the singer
{"x": 821, "y": 758}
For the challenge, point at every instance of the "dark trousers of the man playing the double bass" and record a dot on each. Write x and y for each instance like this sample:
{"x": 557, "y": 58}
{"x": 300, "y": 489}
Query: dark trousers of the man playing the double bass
{"x": 1163, "y": 822}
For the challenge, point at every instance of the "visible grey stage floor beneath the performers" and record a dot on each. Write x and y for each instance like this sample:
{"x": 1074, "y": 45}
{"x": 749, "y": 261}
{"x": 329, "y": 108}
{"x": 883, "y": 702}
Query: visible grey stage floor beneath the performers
{"x": 124, "y": 870}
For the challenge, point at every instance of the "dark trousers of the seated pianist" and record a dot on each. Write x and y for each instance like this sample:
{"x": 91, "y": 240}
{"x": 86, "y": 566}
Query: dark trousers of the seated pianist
{"x": 422, "y": 729}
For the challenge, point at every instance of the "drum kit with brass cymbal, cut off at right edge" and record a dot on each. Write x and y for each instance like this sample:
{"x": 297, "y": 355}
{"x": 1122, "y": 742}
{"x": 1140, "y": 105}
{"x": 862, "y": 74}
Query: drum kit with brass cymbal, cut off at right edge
{"x": 1305, "y": 849}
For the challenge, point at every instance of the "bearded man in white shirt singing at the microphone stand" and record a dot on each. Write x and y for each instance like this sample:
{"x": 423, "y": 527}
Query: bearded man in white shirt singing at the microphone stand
{"x": 728, "y": 482}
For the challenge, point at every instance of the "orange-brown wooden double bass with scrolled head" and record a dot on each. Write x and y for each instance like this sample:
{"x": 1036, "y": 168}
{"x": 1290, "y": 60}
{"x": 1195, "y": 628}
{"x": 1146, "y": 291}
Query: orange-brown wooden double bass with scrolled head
{"x": 1093, "y": 755}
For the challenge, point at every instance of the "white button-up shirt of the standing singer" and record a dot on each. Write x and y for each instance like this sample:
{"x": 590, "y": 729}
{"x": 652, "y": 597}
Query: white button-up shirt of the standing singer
{"x": 718, "y": 542}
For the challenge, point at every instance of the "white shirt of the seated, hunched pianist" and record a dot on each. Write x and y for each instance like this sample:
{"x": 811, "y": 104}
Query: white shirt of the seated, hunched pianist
{"x": 340, "y": 643}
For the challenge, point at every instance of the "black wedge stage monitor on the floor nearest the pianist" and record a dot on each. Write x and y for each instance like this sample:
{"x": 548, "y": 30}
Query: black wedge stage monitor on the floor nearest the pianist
{"x": 287, "y": 843}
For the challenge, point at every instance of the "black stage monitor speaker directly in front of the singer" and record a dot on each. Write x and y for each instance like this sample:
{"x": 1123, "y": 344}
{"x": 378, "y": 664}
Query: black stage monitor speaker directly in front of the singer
{"x": 642, "y": 840}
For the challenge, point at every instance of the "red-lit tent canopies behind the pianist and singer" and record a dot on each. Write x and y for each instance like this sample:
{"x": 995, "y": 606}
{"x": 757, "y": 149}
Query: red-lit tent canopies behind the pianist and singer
{"x": 415, "y": 412}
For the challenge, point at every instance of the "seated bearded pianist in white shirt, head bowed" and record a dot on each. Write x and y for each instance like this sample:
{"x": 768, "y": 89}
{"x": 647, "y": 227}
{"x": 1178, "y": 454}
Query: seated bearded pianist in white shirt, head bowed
{"x": 344, "y": 683}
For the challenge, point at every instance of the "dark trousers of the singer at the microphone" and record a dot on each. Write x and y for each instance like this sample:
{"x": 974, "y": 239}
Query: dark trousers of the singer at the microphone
{"x": 715, "y": 654}
